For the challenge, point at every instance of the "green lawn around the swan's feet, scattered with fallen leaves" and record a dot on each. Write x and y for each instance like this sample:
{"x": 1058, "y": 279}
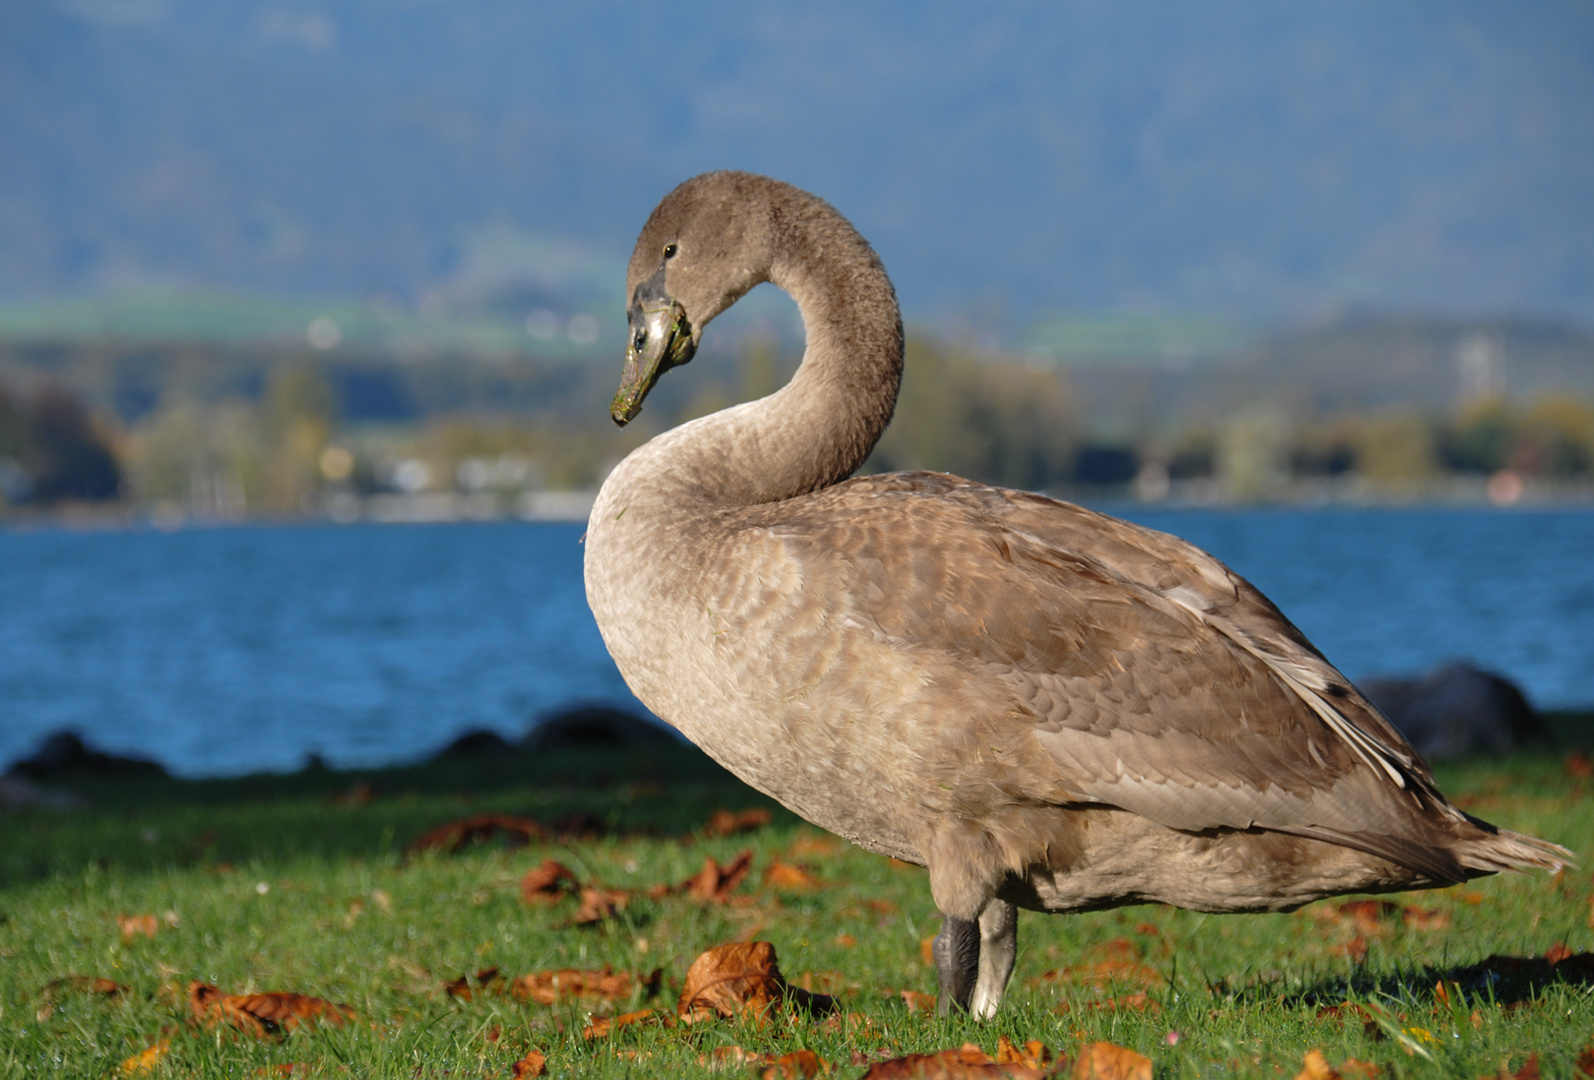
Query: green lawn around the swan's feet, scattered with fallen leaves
{"x": 296, "y": 883}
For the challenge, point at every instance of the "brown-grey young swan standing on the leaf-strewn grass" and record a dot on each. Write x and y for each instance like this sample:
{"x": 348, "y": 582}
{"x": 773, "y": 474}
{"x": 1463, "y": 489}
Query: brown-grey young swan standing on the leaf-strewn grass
{"x": 1045, "y": 706}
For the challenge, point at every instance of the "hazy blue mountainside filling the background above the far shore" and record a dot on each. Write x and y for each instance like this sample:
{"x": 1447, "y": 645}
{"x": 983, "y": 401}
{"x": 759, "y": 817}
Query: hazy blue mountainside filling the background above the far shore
{"x": 1255, "y": 162}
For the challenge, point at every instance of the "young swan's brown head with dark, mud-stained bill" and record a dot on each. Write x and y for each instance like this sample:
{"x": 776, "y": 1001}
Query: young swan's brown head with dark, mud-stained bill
{"x": 702, "y": 249}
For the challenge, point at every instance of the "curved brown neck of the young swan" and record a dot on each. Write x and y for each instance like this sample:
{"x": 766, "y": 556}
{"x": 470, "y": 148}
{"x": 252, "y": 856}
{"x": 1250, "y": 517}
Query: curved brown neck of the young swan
{"x": 820, "y": 428}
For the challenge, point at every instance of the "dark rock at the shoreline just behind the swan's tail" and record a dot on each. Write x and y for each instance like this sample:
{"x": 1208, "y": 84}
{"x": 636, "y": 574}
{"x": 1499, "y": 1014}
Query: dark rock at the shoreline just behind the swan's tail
{"x": 1458, "y": 710}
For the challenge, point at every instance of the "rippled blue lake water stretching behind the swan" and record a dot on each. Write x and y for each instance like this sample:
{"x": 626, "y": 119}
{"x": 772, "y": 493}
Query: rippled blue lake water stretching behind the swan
{"x": 232, "y": 651}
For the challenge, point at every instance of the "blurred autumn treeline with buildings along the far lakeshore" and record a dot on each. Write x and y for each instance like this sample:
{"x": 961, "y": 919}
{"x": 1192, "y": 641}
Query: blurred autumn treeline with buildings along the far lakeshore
{"x": 1365, "y": 410}
